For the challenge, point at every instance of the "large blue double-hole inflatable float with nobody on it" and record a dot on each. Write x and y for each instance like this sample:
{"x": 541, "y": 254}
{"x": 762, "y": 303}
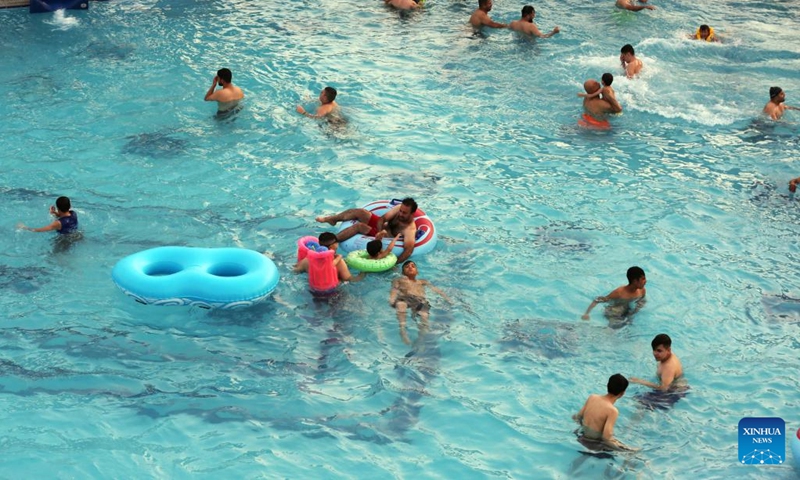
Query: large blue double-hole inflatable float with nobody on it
{"x": 203, "y": 277}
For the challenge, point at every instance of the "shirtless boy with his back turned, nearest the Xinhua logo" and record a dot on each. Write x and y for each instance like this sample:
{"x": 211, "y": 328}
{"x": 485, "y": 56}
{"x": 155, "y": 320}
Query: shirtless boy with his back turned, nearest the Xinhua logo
{"x": 598, "y": 415}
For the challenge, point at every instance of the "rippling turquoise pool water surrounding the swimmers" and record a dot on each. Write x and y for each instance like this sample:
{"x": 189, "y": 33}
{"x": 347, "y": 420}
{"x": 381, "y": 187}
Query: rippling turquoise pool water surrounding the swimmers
{"x": 535, "y": 216}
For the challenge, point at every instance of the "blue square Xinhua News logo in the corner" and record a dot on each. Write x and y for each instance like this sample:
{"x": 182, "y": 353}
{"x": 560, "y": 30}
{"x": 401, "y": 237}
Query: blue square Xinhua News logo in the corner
{"x": 762, "y": 441}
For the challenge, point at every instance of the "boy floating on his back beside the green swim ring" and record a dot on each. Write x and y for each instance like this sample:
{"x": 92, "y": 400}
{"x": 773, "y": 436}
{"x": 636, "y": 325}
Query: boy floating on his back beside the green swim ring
{"x": 408, "y": 293}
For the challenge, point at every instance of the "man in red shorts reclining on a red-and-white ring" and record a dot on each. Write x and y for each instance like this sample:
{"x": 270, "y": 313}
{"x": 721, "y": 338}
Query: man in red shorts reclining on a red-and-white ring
{"x": 398, "y": 220}
